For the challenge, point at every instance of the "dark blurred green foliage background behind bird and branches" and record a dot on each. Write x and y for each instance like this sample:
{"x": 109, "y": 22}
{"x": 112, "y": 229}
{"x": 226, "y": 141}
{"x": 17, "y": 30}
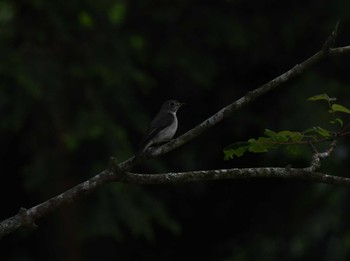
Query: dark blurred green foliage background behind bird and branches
{"x": 80, "y": 81}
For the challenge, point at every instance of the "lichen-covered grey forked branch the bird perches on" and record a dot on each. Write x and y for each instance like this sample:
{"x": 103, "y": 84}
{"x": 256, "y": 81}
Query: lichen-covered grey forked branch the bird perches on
{"x": 119, "y": 171}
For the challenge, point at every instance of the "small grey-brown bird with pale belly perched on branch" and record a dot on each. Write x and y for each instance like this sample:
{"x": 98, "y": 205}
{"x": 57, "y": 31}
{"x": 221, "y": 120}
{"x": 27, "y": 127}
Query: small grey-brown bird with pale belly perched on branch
{"x": 162, "y": 127}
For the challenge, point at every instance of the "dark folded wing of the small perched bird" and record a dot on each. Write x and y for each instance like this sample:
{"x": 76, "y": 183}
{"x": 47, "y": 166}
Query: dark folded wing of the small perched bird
{"x": 160, "y": 122}
